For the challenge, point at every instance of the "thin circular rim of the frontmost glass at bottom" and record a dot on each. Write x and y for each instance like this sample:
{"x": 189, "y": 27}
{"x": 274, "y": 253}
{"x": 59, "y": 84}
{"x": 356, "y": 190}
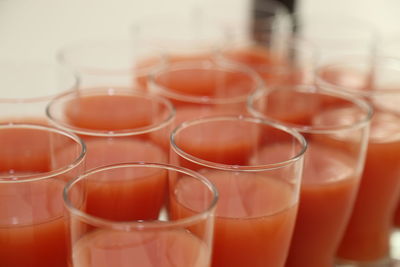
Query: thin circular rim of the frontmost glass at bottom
{"x": 141, "y": 224}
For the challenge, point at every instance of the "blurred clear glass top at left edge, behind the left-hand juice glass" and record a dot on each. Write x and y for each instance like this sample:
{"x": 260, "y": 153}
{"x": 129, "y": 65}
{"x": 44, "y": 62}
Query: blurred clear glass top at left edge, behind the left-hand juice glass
{"x": 28, "y": 86}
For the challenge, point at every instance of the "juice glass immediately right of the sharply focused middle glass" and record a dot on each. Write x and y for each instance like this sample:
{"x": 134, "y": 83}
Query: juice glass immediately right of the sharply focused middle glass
{"x": 337, "y": 138}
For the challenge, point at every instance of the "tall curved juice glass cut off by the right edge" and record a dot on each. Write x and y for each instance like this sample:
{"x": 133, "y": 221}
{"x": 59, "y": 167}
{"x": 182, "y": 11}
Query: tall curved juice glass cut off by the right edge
{"x": 366, "y": 239}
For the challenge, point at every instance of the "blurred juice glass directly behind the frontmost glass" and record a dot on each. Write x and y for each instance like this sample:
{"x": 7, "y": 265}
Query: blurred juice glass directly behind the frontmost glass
{"x": 117, "y": 125}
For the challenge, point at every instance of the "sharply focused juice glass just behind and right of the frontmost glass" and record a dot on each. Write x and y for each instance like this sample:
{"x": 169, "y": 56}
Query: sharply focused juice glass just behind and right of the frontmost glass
{"x": 258, "y": 195}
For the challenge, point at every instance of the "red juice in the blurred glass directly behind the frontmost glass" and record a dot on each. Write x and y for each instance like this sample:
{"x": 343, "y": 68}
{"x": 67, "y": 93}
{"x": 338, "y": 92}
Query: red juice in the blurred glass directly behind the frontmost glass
{"x": 121, "y": 196}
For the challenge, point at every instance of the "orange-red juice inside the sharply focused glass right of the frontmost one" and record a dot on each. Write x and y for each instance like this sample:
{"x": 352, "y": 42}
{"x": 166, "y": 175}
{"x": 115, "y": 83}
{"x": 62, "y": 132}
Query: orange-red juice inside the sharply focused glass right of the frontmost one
{"x": 254, "y": 219}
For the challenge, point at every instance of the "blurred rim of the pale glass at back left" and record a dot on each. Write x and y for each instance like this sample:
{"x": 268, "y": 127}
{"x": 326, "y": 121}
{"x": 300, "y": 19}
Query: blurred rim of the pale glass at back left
{"x": 64, "y": 53}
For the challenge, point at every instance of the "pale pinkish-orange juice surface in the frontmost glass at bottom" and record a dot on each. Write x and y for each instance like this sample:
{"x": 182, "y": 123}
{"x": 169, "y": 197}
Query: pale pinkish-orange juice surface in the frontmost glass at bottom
{"x": 164, "y": 248}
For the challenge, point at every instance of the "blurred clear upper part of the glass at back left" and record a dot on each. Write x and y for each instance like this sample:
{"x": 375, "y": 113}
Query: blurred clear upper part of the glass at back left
{"x": 114, "y": 63}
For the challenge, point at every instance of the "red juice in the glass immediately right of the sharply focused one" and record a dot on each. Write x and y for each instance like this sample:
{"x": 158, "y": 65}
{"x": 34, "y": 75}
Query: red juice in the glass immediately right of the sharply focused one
{"x": 328, "y": 191}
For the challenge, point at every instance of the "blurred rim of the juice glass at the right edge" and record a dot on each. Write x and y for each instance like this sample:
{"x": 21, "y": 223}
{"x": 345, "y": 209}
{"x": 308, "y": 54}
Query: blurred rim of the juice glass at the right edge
{"x": 391, "y": 62}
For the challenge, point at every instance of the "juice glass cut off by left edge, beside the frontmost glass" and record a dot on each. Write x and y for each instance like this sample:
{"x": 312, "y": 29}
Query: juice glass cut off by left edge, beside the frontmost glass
{"x": 35, "y": 164}
